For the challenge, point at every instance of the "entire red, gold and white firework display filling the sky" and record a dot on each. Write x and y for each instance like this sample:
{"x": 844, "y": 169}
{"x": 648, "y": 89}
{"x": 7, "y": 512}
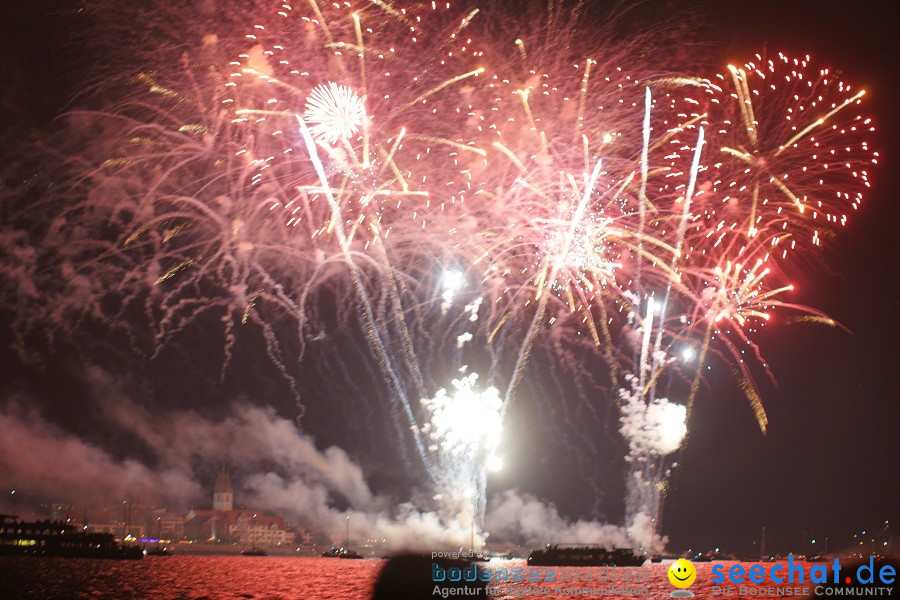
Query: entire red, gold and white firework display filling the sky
{"x": 467, "y": 191}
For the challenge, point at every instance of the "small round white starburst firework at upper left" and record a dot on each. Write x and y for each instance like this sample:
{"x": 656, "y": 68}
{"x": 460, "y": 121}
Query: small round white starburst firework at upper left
{"x": 333, "y": 112}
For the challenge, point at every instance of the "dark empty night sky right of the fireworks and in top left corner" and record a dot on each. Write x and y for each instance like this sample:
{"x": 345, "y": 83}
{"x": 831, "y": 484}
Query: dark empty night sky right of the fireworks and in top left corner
{"x": 827, "y": 465}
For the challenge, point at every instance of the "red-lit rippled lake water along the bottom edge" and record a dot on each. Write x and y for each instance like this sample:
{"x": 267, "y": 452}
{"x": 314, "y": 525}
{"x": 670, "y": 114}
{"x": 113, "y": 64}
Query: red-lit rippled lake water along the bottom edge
{"x": 283, "y": 578}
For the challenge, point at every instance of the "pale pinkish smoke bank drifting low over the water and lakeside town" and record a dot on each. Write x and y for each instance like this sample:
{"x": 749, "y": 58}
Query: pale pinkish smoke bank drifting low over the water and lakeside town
{"x": 275, "y": 467}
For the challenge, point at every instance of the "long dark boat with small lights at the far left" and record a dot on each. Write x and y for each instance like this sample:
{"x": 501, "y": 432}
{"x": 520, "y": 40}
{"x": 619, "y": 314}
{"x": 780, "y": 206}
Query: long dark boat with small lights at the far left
{"x": 52, "y": 538}
